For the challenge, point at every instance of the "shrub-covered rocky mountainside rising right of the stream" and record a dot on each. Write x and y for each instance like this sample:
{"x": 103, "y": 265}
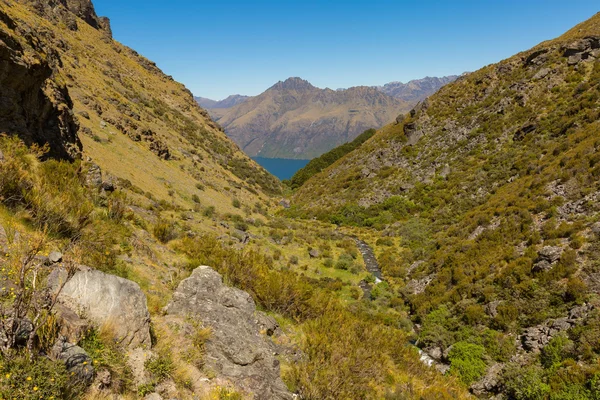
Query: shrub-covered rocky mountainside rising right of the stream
{"x": 491, "y": 189}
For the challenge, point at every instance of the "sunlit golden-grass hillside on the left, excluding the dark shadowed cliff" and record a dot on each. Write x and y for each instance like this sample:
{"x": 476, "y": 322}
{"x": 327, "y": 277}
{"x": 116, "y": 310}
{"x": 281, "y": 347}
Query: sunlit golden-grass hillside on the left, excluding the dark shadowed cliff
{"x": 128, "y": 111}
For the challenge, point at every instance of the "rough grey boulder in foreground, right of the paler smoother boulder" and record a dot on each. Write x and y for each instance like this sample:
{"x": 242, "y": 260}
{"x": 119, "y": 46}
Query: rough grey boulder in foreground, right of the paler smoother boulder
{"x": 236, "y": 349}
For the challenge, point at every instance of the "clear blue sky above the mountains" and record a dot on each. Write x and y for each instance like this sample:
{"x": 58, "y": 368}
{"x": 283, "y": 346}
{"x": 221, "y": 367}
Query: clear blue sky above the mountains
{"x": 219, "y": 47}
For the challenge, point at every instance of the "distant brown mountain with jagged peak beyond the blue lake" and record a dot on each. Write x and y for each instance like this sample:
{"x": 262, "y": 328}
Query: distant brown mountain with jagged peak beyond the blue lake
{"x": 294, "y": 119}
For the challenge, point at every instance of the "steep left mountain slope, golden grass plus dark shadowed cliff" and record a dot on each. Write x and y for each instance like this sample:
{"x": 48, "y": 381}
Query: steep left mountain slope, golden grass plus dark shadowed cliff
{"x": 126, "y": 108}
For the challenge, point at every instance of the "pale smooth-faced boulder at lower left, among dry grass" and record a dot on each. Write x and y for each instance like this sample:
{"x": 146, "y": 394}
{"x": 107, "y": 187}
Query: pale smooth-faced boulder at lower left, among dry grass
{"x": 106, "y": 301}
